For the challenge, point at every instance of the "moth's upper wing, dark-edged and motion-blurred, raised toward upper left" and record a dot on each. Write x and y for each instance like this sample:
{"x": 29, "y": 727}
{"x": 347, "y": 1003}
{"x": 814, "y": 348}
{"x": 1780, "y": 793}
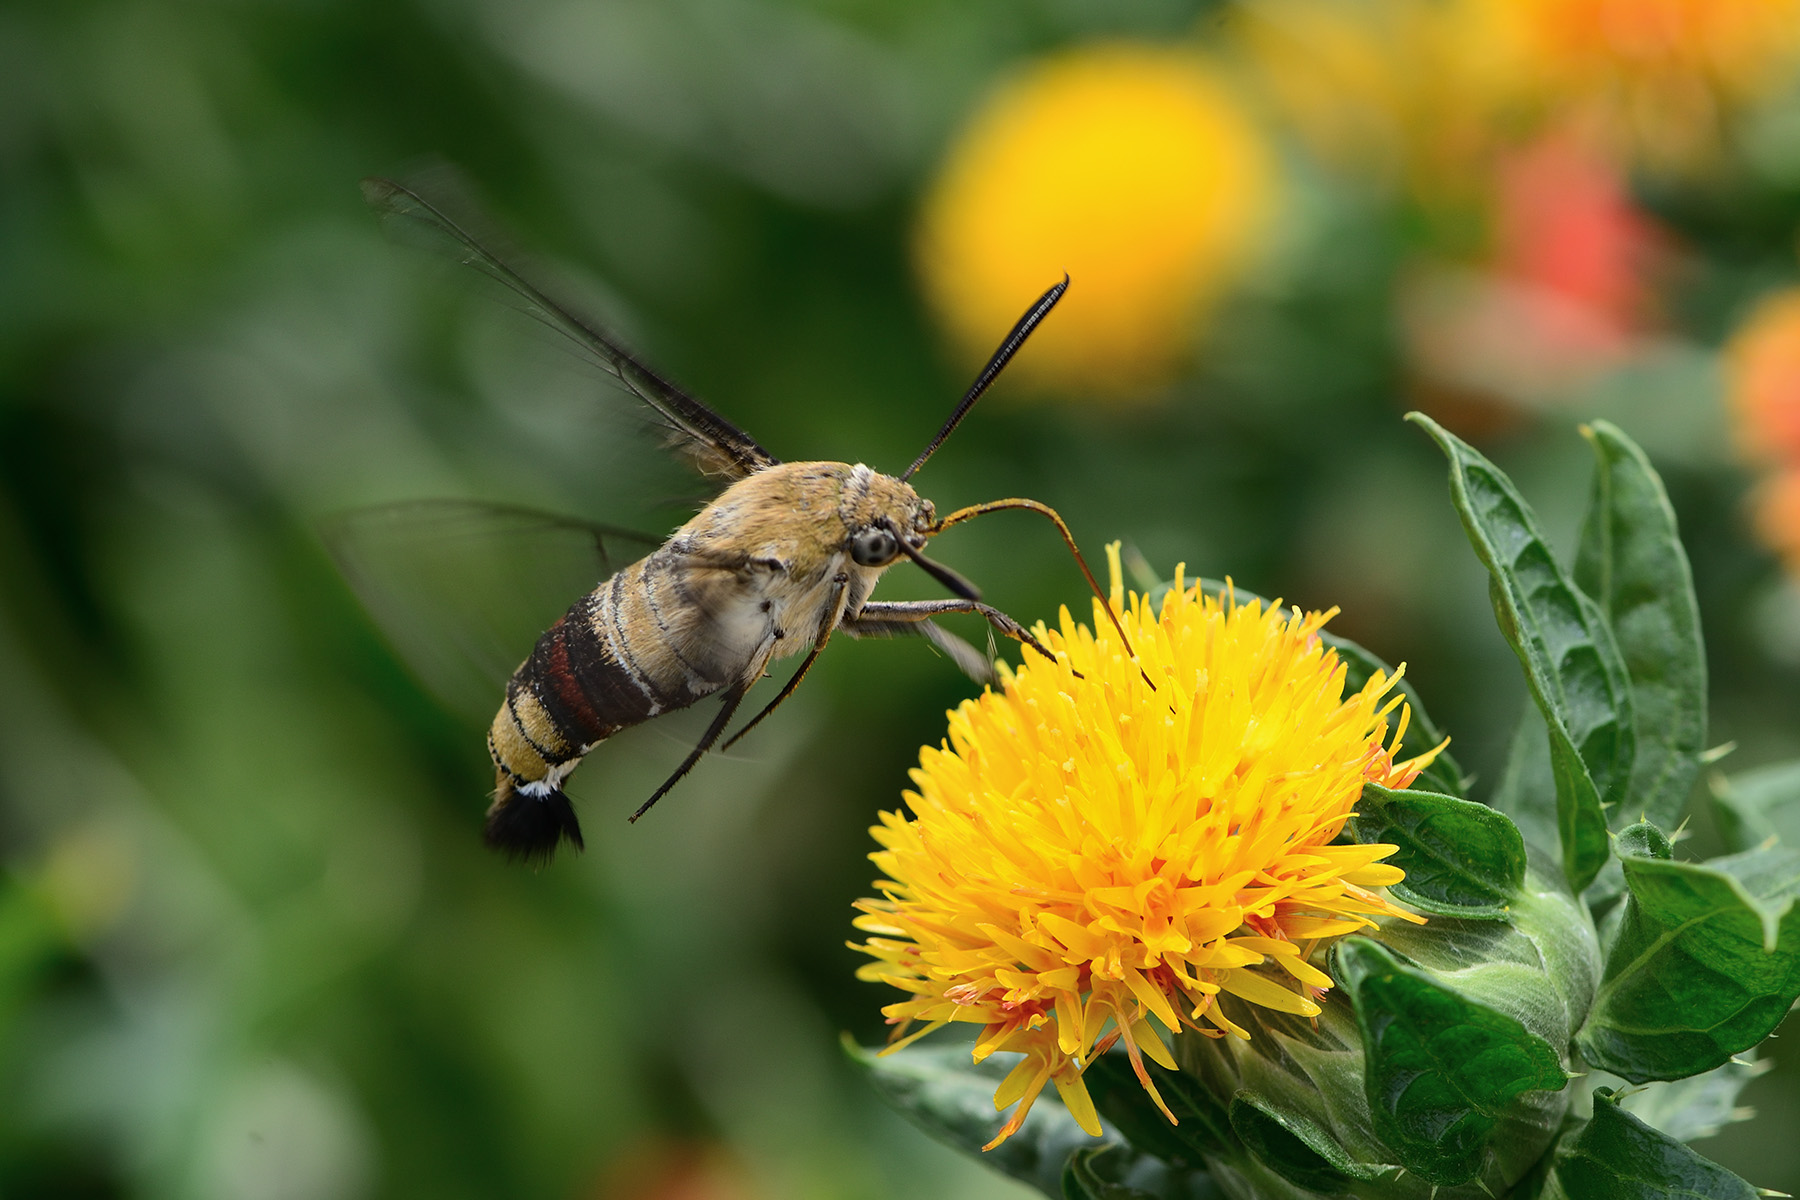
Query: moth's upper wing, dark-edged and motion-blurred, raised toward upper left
{"x": 715, "y": 445}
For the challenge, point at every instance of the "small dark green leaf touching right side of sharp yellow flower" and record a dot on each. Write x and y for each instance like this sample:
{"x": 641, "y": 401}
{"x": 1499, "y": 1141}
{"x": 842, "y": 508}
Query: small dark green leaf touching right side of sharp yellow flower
{"x": 1461, "y": 859}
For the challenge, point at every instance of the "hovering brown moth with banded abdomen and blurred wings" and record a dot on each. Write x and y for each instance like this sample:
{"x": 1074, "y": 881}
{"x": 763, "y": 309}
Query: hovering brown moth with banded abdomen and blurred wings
{"x": 784, "y": 559}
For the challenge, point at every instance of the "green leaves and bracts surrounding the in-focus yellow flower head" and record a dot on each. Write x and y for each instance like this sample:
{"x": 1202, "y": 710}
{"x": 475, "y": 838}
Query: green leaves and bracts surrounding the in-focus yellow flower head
{"x": 1468, "y": 1057}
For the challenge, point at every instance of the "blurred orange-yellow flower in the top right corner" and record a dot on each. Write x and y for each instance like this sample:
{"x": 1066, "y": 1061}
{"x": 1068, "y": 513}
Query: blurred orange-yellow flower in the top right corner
{"x": 1657, "y": 75}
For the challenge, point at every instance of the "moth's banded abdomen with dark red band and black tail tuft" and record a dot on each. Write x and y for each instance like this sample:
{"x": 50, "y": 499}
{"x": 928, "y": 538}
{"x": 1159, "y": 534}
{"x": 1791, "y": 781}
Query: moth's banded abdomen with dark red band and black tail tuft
{"x": 582, "y": 685}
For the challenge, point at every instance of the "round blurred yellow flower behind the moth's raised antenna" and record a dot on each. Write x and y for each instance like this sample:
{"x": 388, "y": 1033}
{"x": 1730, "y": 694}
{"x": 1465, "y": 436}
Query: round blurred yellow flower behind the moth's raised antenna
{"x": 1128, "y": 166}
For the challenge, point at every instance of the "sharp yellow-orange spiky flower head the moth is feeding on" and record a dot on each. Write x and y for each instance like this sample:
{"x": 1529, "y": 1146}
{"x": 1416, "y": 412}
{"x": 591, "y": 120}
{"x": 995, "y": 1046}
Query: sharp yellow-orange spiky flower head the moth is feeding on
{"x": 1086, "y": 854}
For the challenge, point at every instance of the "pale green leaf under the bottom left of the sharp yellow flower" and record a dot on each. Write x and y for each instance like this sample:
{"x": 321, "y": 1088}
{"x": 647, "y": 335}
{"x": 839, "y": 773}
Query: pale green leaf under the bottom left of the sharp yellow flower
{"x": 942, "y": 1093}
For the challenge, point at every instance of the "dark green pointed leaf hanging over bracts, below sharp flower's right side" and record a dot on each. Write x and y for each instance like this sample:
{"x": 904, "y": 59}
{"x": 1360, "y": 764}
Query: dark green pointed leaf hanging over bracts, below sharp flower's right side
{"x": 1443, "y": 1071}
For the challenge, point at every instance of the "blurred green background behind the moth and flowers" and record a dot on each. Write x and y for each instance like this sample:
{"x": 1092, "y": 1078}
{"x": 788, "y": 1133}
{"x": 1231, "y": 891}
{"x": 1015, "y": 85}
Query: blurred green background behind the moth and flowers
{"x": 249, "y": 940}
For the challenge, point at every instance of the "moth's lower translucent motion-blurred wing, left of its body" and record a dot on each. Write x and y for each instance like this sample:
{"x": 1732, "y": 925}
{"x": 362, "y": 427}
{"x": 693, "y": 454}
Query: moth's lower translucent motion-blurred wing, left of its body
{"x": 465, "y": 589}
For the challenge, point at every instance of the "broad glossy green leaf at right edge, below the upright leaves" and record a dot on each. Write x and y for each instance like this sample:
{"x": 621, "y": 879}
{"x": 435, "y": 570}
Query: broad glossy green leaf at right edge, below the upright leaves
{"x": 1705, "y": 965}
